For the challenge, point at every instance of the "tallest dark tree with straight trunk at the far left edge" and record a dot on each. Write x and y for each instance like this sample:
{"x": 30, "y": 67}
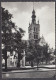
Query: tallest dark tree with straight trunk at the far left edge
{"x": 7, "y": 27}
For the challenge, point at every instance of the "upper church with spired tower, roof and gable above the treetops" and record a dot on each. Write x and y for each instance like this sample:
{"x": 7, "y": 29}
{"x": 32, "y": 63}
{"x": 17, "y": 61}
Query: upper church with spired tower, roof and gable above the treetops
{"x": 34, "y": 32}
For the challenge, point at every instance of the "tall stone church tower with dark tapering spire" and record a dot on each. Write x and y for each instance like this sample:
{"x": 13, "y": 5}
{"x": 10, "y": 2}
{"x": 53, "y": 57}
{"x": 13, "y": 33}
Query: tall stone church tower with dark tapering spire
{"x": 34, "y": 28}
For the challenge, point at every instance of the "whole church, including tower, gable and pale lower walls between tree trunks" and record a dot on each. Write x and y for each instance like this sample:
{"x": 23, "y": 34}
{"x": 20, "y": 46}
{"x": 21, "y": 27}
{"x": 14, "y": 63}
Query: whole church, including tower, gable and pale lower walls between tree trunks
{"x": 34, "y": 38}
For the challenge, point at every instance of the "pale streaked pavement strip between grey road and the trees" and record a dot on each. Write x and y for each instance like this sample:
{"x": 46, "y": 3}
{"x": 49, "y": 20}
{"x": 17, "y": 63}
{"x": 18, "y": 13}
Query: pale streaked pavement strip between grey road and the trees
{"x": 29, "y": 69}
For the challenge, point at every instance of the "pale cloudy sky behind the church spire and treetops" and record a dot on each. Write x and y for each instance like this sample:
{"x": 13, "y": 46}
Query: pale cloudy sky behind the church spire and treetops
{"x": 45, "y": 12}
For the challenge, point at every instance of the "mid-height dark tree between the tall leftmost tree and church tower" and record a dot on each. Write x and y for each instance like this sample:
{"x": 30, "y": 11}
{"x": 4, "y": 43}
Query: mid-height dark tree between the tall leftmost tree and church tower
{"x": 18, "y": 44}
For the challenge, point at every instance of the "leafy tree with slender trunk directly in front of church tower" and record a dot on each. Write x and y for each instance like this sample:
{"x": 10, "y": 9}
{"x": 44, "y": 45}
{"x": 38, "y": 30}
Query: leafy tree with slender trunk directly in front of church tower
{"x": 35, "y": 51}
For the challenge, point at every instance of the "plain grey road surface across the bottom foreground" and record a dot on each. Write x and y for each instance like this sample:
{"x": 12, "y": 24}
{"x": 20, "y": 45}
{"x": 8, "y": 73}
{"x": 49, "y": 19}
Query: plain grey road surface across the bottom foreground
{"x": 29, "y": 74}
